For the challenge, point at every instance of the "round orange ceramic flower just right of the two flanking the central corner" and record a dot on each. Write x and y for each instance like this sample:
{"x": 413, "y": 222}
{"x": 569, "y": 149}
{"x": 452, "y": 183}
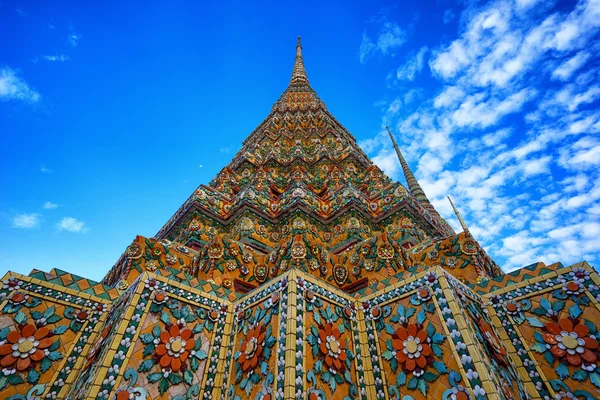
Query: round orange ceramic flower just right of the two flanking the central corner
{"x": 411, "y": 347}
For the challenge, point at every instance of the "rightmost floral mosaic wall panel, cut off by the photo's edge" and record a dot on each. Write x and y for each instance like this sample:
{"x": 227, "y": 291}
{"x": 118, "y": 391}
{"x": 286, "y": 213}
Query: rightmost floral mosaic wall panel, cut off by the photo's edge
{"x": 555, "y": 333}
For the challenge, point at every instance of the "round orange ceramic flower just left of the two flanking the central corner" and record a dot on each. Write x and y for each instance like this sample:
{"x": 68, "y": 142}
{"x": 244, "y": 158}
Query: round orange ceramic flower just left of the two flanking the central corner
{"x": 175, "y": 347}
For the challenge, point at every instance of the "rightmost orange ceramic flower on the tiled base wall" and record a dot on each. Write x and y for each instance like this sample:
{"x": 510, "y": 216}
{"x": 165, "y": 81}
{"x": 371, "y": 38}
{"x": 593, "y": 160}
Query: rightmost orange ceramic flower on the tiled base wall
{"x": 571, "y": 342}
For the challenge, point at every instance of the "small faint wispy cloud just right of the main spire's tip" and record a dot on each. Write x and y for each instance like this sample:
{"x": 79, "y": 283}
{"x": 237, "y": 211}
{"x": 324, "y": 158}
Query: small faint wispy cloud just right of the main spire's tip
{"x": 390, "y": 36}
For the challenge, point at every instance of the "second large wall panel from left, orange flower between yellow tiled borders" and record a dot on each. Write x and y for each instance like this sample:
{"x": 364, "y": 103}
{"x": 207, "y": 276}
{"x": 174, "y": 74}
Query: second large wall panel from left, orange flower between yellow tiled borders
{"x": 165, "y": 340}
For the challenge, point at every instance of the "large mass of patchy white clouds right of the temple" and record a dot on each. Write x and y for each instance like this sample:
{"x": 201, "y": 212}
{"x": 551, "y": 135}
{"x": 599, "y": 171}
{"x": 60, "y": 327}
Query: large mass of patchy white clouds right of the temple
{"x": 510, "y": 132}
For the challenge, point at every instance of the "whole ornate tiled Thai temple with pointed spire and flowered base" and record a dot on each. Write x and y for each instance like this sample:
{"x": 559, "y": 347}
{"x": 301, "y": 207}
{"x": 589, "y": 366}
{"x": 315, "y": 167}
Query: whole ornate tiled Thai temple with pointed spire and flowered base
{"x": 302, "y": 271}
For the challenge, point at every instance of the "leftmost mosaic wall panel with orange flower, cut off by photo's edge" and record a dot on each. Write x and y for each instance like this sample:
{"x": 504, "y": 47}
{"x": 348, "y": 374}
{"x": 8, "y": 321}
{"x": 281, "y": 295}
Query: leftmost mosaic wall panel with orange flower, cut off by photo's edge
{"x": 45, "y": 331}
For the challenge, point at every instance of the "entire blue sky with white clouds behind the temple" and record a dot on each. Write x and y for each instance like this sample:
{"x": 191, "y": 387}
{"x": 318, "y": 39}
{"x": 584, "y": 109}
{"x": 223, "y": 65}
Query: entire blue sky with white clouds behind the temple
{"x": 111, "y": 113}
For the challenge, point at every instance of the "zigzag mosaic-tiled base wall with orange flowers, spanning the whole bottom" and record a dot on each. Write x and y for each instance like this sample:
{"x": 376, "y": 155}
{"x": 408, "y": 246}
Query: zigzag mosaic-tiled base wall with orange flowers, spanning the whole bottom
{"x": 426, "y": 336}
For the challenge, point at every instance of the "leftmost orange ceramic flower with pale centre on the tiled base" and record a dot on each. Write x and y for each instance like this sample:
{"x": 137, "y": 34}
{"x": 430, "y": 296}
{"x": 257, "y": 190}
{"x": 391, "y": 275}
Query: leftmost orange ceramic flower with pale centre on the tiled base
{"x": 25, "y": 347}
